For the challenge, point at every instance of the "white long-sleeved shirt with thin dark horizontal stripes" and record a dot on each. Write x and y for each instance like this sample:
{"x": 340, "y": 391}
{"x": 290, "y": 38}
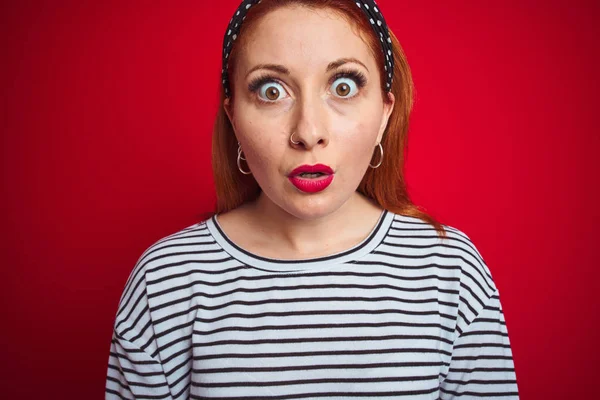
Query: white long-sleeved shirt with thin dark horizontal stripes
{"x": 404, "y": 313}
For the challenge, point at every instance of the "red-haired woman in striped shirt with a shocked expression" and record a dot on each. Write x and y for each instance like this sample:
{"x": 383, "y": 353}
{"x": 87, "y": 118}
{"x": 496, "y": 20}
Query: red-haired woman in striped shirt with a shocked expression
{"x": 316, "y": 277}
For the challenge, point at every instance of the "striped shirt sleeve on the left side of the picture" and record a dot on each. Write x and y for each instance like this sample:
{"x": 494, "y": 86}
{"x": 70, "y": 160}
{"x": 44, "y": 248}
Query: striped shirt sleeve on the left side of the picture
{"x": 135, "y": 370}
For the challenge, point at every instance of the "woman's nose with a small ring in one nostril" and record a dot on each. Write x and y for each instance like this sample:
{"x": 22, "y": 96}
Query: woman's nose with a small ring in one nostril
{"x": 310, "y": 123}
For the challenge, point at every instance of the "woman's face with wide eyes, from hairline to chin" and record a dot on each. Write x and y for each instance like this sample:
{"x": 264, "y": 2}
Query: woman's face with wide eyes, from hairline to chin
{"x": 326, "y": 90}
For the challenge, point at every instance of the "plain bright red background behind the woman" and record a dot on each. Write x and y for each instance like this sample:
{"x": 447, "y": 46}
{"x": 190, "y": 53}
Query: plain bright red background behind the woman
{"x": 106, "y": 129}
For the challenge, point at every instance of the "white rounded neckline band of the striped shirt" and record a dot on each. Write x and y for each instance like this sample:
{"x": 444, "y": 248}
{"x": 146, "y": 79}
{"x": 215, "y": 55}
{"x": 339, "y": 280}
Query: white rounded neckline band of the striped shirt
{"x": 373, "y": 239}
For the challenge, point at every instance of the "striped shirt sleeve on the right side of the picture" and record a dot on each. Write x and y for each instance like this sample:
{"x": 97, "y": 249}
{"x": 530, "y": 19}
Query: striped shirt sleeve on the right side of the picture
{"x": 482, "y": 364}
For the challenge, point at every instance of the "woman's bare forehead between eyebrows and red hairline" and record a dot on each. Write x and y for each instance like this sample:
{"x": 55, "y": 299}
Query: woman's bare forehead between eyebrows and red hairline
{"x": 303, "y": 39}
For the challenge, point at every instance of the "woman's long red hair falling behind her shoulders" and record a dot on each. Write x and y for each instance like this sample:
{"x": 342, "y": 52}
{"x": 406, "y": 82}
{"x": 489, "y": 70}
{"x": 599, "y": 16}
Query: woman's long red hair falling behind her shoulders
{"x": 386, "y": 184}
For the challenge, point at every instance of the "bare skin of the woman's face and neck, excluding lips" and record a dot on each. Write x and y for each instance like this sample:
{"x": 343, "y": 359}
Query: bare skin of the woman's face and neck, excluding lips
{"x": 339, "y": 130}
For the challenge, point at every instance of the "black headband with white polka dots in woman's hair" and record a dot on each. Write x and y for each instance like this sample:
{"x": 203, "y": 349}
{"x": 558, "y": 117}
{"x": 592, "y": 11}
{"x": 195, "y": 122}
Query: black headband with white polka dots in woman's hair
{"x": 368, "y": 6}
